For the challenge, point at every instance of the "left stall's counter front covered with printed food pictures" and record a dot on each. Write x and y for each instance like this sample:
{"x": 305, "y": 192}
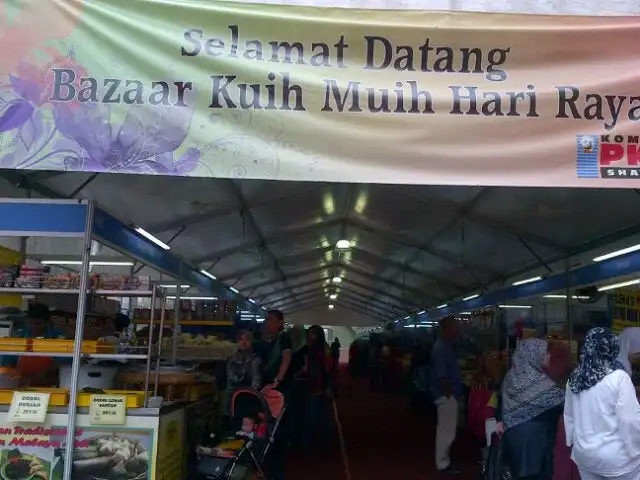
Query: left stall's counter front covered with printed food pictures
{"x": 156, "y": 435}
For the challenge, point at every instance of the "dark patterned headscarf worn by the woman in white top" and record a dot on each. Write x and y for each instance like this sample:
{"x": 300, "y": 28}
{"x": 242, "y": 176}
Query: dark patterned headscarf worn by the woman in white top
{"x": 597, "y": 359}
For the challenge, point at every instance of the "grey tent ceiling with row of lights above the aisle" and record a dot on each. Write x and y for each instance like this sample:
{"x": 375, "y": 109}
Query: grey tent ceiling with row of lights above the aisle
{"x": 413, "y": 246}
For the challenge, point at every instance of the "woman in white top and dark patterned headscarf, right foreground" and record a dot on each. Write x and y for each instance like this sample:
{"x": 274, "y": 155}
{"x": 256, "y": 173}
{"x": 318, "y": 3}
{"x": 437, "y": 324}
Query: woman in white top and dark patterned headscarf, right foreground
{"x": 602, "y": 415}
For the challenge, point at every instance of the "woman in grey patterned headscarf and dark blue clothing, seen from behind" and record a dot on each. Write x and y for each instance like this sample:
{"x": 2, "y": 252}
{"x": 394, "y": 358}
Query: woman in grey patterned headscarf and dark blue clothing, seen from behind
{"x": 529, "y": 411}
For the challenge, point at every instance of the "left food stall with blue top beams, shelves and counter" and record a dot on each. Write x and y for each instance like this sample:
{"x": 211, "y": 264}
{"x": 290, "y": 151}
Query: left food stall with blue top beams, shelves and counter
{"x": 128, "y": 419}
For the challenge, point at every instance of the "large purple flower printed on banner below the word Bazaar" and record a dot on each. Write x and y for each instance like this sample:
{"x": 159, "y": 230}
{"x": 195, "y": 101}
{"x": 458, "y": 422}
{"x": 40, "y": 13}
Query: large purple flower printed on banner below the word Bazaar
{"x": 144, "y": 143}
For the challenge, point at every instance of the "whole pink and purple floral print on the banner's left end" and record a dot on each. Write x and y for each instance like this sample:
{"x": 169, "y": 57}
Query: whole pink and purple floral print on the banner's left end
{"x": 74, "y": 136}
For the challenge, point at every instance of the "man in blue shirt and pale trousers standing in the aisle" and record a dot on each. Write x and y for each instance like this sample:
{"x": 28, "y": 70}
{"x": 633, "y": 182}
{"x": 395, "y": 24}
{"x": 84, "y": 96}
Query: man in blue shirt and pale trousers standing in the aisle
{"x": 446, "y": 389}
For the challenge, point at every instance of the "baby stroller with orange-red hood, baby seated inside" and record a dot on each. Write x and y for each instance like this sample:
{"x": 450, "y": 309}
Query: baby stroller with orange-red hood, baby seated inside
{"x": 240, "y": 453}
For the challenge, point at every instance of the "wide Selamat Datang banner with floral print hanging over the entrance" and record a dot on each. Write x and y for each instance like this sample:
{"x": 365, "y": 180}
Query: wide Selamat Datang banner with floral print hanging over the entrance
{"x": 218, "y": 89}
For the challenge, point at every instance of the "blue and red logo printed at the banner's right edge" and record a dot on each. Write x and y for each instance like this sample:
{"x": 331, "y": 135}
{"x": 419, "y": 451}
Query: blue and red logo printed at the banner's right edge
{"x": 608, "y": 156}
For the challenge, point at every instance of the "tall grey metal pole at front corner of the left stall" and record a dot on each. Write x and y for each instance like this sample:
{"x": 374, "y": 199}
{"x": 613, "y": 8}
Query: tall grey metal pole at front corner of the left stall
{"x": 77, "y": 346}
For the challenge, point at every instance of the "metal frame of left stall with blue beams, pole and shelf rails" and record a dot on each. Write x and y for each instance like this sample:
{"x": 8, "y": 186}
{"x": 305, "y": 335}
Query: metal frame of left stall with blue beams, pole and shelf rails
{"x": 83, "y": 219}
